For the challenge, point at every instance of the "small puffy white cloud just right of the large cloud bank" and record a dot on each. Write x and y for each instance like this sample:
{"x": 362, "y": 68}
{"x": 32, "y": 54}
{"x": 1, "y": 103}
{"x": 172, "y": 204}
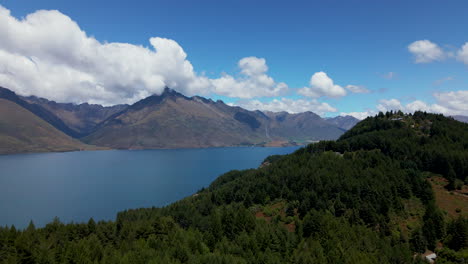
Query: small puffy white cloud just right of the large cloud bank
{"x": 322, "y": 85}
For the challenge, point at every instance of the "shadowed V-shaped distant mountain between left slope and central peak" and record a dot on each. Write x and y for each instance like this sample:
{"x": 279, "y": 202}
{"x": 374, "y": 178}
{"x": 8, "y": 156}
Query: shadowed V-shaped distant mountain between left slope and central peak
{"x": 82, "y": 119}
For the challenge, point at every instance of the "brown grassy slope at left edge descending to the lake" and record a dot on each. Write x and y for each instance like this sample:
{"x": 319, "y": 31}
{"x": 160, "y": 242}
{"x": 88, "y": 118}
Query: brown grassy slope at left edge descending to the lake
{"x": 22, "y": 131}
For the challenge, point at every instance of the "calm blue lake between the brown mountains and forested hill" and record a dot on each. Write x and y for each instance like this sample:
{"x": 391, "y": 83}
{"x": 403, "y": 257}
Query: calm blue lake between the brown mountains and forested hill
{"x": 75, "y": 186}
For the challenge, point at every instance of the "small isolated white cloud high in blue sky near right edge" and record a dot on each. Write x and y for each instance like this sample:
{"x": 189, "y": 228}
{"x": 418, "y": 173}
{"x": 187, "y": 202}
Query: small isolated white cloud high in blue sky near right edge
{"x": 425, "y": 51}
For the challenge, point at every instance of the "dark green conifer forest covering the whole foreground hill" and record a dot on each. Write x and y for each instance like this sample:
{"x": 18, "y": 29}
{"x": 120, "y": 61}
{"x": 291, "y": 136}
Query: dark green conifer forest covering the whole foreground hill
{"x": 365, "y": 198}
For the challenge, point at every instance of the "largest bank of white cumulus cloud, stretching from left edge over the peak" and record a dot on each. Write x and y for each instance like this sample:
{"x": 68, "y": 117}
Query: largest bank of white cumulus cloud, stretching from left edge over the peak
{"x": 49, "y": 55}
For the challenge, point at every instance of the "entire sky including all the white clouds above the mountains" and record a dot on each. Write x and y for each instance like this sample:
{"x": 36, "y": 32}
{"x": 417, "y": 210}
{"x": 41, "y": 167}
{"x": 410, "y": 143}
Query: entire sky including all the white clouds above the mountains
{"x": 329, "y": 57}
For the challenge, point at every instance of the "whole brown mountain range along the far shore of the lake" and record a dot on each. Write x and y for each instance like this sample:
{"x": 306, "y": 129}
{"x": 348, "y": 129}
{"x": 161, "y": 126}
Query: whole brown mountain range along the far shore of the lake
{"x": 169, "y": 120}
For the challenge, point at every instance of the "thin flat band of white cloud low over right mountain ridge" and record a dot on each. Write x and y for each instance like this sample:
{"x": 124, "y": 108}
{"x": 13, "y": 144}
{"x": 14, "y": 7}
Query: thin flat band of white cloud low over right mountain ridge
{"x": 287, "y": 105}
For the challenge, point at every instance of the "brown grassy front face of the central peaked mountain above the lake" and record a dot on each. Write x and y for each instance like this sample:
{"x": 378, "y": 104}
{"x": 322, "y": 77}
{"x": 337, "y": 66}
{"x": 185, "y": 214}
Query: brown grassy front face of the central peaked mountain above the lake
{"x": 176, "y": 122}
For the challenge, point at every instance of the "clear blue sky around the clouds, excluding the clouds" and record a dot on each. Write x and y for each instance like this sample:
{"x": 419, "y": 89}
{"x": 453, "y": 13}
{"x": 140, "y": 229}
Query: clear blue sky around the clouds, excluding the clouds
{"x": 363, "y": 43}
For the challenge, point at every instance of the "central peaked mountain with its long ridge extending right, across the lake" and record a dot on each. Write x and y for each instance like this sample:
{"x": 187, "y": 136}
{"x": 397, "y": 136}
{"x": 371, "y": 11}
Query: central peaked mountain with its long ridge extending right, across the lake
{"x": 172, "y": 120}
